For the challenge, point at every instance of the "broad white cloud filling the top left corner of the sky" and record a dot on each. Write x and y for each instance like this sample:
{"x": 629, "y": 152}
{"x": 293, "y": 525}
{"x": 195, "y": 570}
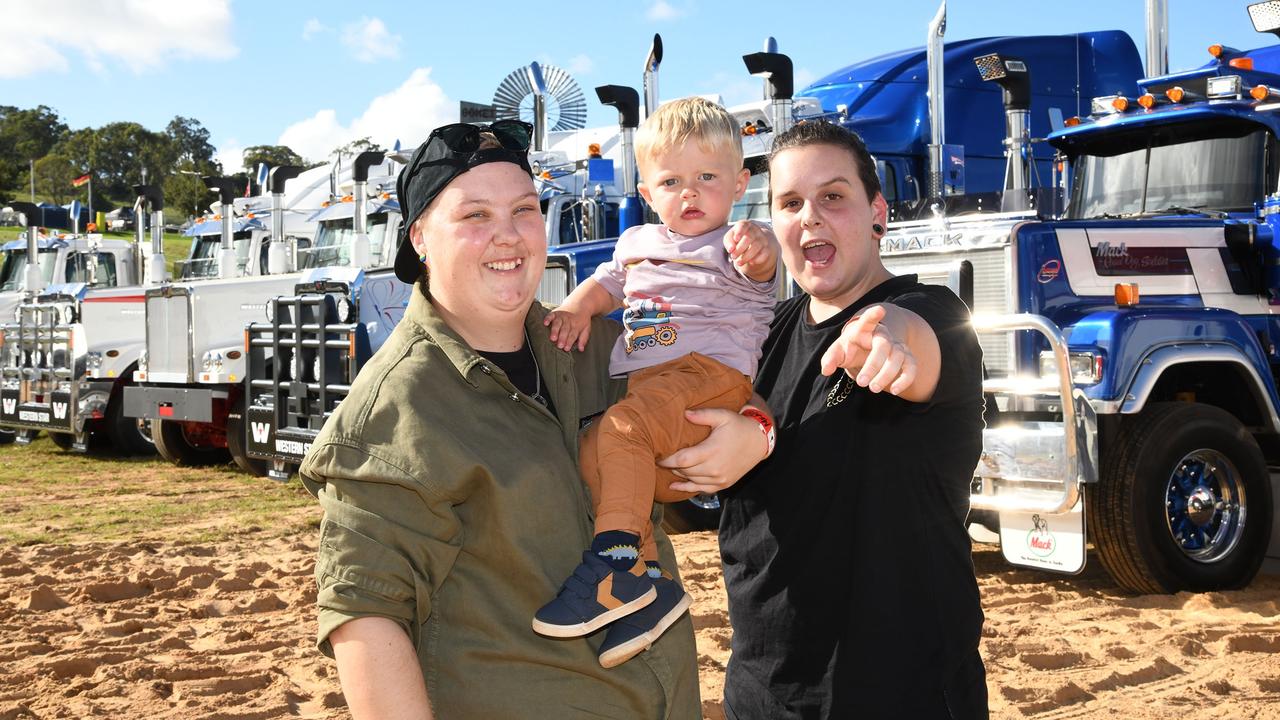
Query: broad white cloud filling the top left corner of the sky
{"x": 143, "y": 35}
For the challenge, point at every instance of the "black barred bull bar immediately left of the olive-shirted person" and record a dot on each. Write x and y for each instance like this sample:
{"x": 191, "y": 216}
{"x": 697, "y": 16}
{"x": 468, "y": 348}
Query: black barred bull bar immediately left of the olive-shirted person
{"x": 300, "y": 368}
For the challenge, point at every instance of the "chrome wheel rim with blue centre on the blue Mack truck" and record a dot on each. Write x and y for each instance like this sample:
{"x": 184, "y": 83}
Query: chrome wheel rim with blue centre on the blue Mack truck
{"x": 1205, "y": 507}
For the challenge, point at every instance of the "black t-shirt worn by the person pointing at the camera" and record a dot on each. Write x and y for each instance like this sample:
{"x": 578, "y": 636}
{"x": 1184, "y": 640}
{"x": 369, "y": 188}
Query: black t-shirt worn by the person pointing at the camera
{"x": 848, "y": 564}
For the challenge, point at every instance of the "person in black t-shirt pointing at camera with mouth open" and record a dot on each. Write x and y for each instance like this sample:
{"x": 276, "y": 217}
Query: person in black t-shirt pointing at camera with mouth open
{"x": 847, "y": 560}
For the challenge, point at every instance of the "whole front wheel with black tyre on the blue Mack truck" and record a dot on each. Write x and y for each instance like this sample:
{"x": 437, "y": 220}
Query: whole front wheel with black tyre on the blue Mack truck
{"x": 1185, "y": 503}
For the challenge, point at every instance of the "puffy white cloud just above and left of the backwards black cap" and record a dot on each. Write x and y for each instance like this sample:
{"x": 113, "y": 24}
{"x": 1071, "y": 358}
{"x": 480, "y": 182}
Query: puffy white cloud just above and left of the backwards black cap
{"x": 408, "y": 113}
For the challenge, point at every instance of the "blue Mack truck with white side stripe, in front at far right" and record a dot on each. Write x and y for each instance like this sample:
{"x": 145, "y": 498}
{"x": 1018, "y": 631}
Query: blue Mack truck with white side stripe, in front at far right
{"x": 1131, "y": 340}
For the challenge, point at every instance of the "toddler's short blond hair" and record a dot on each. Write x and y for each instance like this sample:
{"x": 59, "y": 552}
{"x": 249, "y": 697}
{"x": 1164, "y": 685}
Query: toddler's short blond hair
{"x": 689, "y": 120}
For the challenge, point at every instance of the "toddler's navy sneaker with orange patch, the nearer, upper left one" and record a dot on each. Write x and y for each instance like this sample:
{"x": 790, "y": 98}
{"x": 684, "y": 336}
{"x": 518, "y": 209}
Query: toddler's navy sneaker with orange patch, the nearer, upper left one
{"x": 595, "y": 596}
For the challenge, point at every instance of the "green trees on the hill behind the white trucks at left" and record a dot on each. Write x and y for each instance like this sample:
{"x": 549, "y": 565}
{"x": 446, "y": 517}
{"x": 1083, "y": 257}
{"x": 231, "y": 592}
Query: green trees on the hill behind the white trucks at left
{"x": 116, "y": 156}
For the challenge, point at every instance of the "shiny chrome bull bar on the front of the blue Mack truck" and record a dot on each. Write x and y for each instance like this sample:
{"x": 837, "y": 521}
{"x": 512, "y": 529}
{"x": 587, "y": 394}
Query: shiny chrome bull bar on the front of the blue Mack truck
{"x": 1036, "y": 467}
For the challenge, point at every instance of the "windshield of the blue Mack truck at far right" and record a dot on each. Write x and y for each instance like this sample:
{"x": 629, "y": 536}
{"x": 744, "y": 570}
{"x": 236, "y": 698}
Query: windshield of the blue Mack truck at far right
{"x": 1165, "y": 172}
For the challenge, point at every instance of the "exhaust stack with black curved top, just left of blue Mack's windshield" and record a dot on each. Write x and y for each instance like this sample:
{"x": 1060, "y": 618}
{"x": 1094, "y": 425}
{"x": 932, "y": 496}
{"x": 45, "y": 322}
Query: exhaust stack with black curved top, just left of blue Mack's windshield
{"x": 1016, "y": 81}
